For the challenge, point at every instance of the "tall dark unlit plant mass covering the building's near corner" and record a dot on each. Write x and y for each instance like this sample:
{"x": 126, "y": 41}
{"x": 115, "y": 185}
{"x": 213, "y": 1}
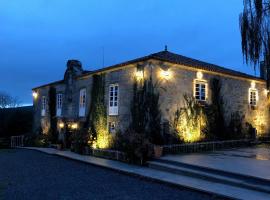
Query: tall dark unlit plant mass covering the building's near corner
{"x": 145, "y": 125}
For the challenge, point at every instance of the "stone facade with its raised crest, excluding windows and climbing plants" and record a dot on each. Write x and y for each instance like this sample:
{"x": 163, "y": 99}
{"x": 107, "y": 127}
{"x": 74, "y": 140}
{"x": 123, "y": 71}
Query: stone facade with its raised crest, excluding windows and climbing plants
{"x": 179, "y": 81}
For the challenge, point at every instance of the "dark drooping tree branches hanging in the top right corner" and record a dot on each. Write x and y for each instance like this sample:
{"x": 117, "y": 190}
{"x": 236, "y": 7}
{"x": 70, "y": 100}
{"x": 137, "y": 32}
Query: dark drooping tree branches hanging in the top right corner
{"x": 255, "y": 32}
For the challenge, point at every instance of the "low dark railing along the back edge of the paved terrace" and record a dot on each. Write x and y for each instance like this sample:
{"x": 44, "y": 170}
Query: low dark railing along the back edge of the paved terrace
{"x": 204, "y": 146}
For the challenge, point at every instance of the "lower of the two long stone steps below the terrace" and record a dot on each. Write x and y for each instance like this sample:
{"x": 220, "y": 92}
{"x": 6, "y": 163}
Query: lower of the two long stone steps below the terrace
{"x": 200, "y": 174}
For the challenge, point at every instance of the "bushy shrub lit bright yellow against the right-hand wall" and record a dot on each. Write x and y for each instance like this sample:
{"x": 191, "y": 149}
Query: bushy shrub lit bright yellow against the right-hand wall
{"x": 190, "y": 121}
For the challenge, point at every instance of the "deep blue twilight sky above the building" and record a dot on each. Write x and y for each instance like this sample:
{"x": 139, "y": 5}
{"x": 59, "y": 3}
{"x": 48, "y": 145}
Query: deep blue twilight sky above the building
{"x": 37, "y": 37}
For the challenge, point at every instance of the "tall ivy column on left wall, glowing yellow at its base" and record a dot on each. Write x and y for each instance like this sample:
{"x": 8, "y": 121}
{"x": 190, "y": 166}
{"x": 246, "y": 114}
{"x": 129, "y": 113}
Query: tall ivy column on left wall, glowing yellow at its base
{"x": 98, "y": 130}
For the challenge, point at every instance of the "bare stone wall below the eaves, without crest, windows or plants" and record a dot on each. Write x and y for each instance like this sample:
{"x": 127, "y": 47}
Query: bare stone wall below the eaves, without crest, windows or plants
{"x": 180, "y": 82}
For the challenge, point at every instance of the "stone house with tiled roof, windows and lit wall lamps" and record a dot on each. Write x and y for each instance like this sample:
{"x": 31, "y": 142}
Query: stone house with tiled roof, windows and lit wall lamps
{"x": 176, "y": 75}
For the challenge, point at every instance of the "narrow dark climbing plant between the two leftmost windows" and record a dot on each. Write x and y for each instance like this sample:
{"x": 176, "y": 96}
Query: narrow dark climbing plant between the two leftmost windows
{"x": 53, "y": 134}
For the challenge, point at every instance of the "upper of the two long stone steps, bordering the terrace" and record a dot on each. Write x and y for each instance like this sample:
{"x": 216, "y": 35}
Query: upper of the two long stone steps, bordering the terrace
{"x": 248, "y": 178}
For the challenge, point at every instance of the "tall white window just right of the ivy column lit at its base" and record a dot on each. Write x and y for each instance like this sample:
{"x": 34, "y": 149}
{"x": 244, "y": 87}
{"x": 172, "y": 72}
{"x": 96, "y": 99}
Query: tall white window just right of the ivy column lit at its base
{"x": 113, "y": 99}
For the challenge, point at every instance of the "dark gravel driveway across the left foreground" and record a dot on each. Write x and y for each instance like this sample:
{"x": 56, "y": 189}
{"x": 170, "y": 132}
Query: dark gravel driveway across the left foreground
{"x": 27, "y": 174}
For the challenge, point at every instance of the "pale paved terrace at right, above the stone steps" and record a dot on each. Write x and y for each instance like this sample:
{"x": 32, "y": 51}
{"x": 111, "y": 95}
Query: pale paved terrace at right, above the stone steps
{"x": 253, "y": 161}
